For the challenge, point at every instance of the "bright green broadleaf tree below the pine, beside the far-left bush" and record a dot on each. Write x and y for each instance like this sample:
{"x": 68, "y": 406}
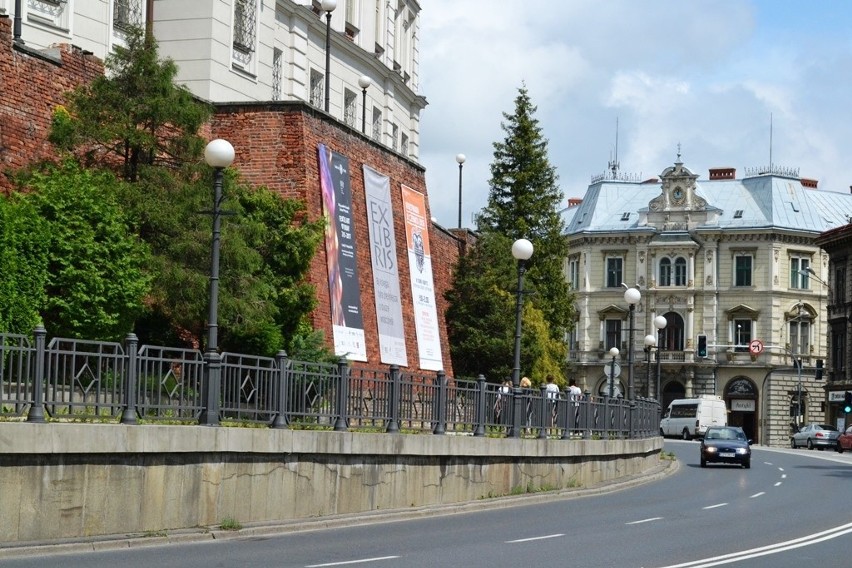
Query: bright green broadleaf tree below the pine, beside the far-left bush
{"x": 96, "y": 281}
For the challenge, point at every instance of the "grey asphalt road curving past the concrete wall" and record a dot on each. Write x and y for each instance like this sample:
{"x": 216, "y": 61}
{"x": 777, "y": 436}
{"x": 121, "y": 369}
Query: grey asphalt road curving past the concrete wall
{"x": 792, "y": 508}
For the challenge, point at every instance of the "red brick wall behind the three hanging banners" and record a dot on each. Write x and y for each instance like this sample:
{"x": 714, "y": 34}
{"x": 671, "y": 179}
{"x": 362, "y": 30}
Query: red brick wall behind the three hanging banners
{"x": 276, "y": 145}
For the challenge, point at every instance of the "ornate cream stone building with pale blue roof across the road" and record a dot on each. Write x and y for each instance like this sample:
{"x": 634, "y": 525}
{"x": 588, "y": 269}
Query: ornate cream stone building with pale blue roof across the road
{"x": 733, "y": 261}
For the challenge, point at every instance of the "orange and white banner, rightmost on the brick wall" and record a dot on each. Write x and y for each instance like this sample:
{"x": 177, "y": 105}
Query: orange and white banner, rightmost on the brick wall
{"x": 422, "y": 284}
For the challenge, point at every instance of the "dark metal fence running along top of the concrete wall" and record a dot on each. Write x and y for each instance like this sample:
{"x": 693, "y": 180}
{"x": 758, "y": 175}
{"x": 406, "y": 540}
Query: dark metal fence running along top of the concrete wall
{"x": 67, "y": 379}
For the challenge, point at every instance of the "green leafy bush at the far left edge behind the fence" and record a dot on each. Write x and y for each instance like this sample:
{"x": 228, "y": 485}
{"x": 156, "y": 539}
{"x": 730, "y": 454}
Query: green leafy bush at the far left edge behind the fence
{"x": 24, "y": 245}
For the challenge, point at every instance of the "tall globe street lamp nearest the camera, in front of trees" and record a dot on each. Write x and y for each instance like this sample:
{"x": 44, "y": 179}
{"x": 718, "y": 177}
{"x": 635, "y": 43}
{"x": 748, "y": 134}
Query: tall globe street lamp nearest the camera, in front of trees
{"x": 219, "y": 154}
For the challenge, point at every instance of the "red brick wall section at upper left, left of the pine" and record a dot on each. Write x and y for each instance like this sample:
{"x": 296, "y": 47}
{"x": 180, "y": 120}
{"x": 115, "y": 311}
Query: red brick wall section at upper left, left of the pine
{"x": 31, "y": 85}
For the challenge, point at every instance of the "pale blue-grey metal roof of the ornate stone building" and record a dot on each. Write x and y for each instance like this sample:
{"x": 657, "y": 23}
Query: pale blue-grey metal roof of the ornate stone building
{"x": 759, "y": 202}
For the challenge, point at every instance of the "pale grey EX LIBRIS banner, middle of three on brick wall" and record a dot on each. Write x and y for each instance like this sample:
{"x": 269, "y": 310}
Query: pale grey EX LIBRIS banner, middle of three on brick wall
{"x": 385, "y": 268}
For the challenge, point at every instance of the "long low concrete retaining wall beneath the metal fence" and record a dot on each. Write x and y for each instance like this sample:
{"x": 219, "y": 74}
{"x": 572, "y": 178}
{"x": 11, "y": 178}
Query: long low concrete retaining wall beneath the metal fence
{"x": 78, "y": 480}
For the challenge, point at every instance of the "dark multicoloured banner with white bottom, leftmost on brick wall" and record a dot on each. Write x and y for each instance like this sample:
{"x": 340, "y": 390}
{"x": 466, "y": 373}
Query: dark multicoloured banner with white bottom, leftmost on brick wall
{"x": 343, "y": 283}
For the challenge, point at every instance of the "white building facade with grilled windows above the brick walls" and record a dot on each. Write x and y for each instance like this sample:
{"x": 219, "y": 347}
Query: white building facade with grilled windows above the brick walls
{"x": 264, "y": 50}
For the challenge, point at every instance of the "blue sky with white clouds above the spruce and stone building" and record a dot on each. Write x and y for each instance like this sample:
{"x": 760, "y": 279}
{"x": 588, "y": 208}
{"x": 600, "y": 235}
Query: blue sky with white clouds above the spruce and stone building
{"x": 733, "y": 83}
